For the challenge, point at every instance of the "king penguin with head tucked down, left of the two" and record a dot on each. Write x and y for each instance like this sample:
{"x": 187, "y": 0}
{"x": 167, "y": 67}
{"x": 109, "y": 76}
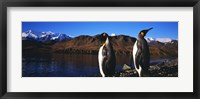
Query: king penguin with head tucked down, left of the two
{"x": 106, "y": 57}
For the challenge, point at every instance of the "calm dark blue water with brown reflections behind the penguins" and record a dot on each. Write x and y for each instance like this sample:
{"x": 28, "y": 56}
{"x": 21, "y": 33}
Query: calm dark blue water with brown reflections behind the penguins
{"x": 65, "y": 65}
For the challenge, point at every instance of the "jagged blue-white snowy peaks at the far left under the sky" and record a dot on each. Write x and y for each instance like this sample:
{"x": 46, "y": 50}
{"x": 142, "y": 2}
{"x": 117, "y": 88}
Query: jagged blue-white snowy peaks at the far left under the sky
{"x": 44, "y": 36}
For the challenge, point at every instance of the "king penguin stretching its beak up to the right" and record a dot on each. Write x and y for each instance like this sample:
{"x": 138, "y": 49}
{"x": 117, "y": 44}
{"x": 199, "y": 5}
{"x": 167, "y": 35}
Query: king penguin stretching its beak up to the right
{"x": 141, "y": 54}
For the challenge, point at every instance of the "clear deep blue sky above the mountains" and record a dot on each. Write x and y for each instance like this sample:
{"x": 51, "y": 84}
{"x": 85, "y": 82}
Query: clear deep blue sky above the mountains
{"x": 160, "y": 29}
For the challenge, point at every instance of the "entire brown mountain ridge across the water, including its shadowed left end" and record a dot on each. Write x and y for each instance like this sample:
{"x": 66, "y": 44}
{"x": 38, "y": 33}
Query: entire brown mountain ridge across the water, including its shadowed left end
{"x": 85, "y": 44}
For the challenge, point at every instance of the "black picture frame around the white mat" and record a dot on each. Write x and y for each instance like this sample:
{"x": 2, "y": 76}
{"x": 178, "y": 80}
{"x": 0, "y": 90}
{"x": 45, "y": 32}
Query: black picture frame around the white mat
{"x": 98, "y": 3}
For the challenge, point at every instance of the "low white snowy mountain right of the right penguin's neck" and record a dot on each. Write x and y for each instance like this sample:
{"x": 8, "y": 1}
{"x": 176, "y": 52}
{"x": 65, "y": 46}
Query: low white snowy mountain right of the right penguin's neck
{"x": 163, "y": 40}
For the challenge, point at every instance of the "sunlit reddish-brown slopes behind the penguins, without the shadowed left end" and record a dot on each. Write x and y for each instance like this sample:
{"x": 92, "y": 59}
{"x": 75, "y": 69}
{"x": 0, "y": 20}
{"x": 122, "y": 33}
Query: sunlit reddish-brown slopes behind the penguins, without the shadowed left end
{"x": 122, "y": 44}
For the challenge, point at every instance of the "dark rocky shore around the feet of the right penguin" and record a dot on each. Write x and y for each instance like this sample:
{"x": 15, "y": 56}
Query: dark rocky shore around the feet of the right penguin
{"x": 168, "y": 68}
